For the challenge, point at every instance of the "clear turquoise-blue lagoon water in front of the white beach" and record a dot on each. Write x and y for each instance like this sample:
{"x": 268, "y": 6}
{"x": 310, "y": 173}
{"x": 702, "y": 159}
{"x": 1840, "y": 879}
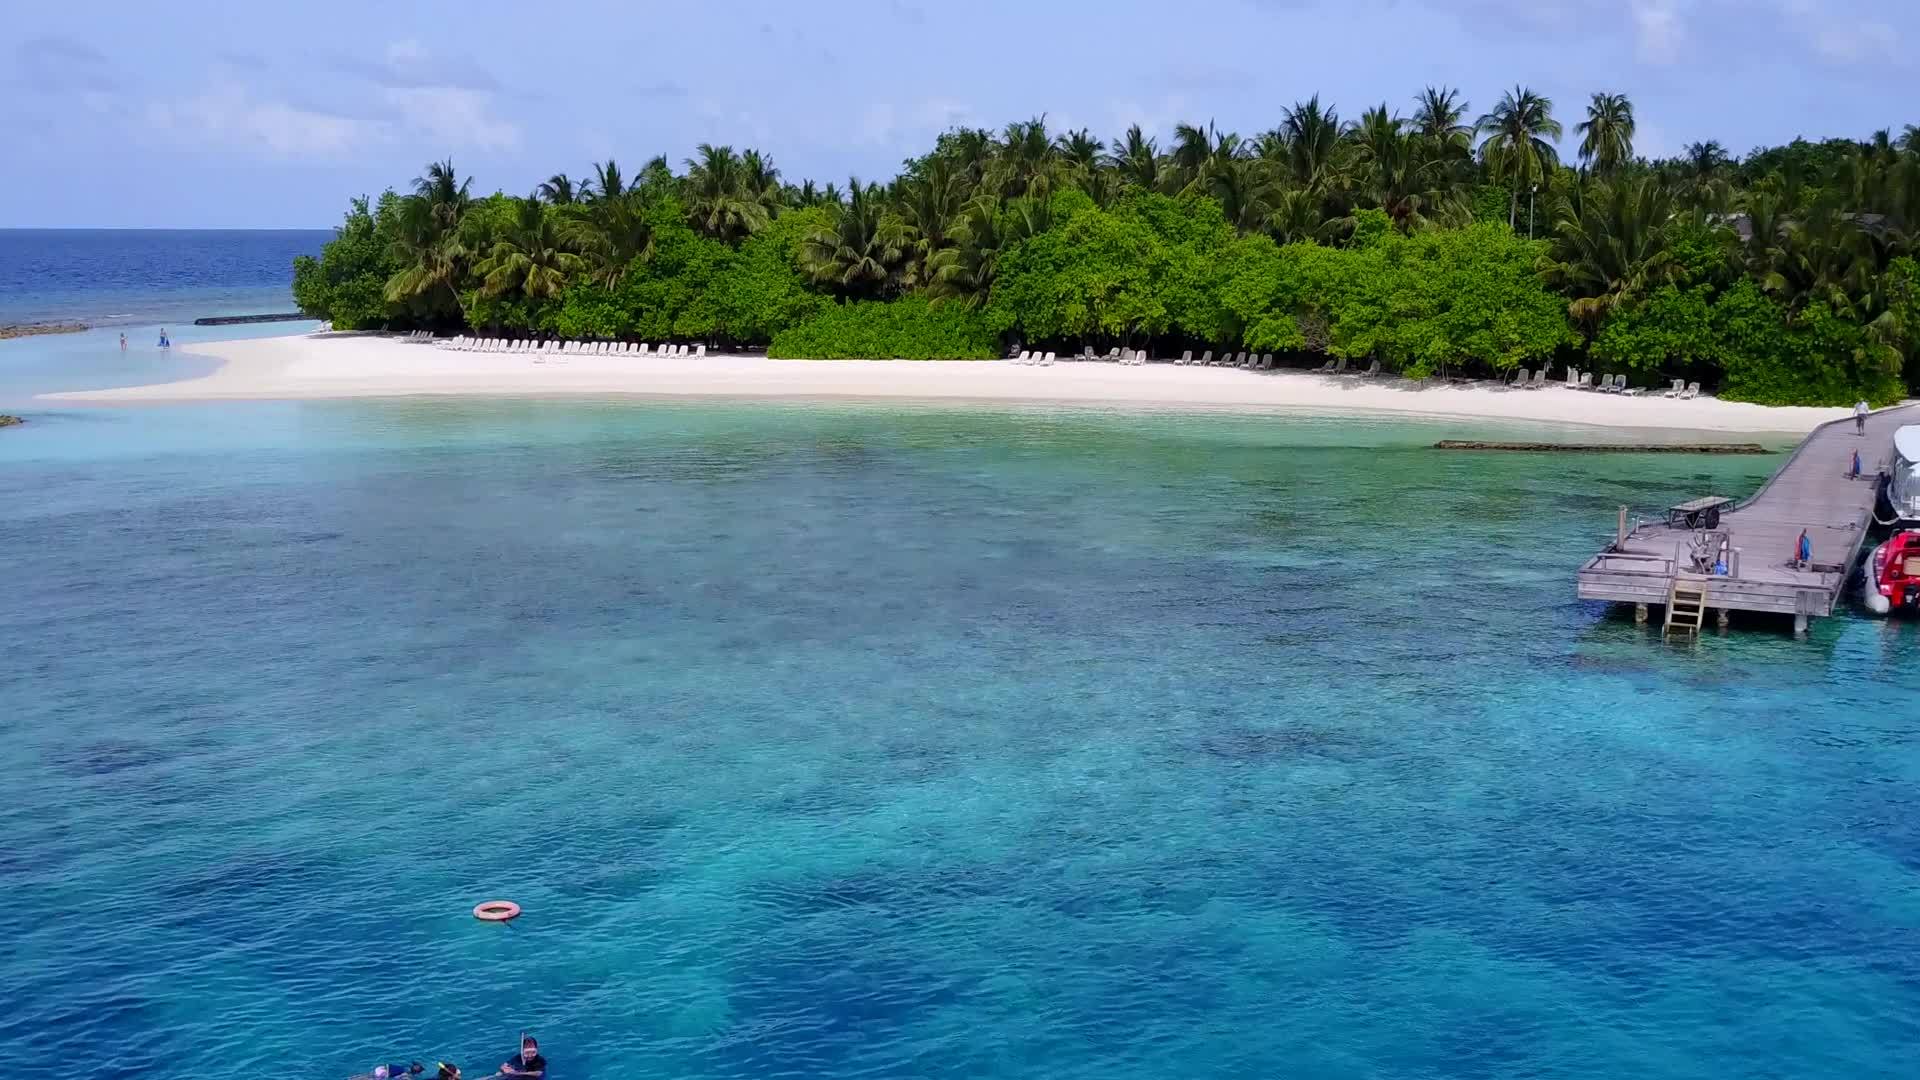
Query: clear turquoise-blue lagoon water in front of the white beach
{"x": 853, "y": 741}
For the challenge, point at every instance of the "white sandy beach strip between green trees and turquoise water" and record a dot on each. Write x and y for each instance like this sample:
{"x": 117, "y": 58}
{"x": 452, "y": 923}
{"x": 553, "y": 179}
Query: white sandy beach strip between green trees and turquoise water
{"x": 356, "y": 366}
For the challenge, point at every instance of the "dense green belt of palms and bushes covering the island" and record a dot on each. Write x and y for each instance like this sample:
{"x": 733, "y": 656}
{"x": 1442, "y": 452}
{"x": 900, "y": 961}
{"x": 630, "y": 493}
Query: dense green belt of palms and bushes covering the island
{"x": 1429, "y": 243}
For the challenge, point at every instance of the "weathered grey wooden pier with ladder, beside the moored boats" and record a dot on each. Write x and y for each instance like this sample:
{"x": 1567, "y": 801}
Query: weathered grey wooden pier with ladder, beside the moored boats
{"x": 1756, "y": 539}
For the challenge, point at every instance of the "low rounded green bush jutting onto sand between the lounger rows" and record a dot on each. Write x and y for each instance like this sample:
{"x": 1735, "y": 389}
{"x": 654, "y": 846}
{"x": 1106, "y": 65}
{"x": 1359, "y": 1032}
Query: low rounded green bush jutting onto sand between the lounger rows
{"x": 911, "y": 328}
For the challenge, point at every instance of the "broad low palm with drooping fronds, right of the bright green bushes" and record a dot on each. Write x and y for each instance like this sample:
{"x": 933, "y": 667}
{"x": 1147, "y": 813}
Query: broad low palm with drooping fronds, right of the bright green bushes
{"x": 1610, "y": 247}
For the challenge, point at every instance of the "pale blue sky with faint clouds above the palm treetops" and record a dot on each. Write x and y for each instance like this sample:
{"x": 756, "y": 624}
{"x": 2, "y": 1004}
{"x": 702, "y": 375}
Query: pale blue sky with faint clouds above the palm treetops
{"x": 201, "y": 114}
